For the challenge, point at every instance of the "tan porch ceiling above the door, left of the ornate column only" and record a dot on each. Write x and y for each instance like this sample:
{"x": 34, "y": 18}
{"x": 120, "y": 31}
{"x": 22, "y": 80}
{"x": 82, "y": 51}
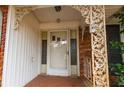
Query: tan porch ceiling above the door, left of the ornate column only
{"x": 50, "y": 15}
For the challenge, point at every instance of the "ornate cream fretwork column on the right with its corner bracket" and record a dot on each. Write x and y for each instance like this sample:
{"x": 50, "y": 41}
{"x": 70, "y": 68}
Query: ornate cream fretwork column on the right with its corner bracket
{"x": 96, "y": 13}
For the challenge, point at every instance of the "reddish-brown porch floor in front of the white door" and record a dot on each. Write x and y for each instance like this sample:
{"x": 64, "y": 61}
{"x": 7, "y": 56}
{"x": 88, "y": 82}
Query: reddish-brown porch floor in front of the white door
{"x": 55, "y": 81}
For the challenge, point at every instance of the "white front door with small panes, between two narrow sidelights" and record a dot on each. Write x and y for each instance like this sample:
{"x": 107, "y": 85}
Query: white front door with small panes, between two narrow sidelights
{"x": 58, "y": 53}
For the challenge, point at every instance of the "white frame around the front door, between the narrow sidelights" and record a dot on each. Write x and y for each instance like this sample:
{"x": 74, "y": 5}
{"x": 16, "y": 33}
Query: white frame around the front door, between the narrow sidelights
{"x": 68, "y": 49}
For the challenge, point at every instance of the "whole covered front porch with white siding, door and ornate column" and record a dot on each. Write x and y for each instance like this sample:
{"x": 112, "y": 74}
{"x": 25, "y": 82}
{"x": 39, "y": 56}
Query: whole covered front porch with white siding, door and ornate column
{"x": 34, "y": 45}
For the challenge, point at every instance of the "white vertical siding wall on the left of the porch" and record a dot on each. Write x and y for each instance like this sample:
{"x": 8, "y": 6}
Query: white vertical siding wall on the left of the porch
{"x": 23, "y": 59}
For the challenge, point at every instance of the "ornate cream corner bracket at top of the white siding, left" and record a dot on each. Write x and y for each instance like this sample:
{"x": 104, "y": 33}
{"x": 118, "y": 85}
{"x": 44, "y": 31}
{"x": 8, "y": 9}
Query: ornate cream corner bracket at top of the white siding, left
{"x": 20, "y": 12}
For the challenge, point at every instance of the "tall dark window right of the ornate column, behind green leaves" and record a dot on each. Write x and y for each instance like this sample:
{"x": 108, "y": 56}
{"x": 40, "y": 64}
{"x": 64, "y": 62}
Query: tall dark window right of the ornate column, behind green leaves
{"x": 113, "y": 33}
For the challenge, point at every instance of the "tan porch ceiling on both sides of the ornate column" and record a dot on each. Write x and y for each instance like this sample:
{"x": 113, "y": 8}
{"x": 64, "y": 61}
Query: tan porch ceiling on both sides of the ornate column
{"x": 49, "y": 14}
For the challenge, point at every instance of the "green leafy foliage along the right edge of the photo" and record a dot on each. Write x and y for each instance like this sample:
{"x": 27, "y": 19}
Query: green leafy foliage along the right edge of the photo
{"x": 118, "y": 69}
